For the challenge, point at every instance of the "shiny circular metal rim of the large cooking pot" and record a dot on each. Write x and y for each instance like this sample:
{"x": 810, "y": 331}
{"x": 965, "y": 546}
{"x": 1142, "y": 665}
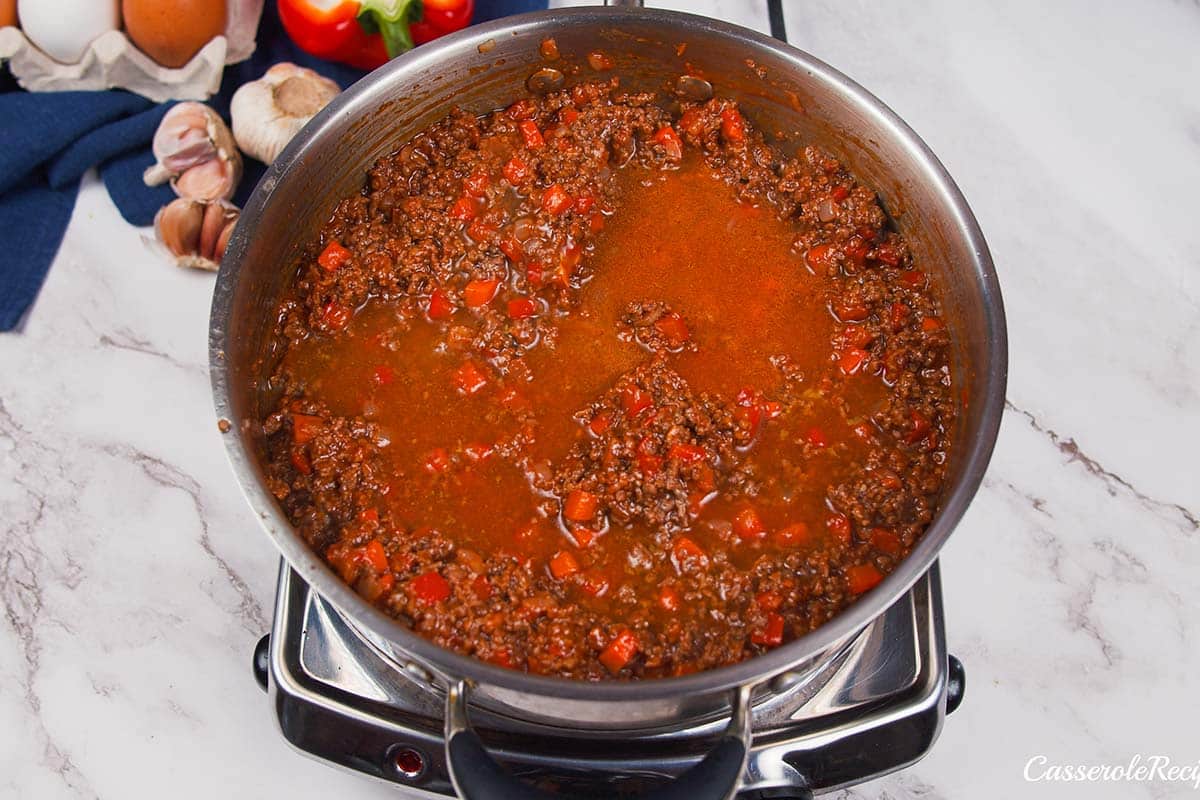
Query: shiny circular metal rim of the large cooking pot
{"x": 448, "y": 664}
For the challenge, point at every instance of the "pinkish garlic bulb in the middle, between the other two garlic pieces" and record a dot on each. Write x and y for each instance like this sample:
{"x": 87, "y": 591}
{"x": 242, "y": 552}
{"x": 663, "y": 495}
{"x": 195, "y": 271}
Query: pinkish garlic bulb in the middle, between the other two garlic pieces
{"x": 196, "y": 153}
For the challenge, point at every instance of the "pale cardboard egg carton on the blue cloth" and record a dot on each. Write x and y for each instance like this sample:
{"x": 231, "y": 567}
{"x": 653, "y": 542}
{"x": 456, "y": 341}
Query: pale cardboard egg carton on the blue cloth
{"x": 112, "y": 62}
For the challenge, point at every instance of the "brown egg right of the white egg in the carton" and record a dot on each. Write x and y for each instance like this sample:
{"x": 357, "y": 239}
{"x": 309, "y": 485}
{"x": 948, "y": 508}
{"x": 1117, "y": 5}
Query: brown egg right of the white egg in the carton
{"x": 172, "y": 32}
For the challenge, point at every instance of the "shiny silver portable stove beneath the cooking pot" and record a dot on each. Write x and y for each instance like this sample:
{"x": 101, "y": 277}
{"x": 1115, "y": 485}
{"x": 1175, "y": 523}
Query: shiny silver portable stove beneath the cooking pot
{"x": 873, "y": 708}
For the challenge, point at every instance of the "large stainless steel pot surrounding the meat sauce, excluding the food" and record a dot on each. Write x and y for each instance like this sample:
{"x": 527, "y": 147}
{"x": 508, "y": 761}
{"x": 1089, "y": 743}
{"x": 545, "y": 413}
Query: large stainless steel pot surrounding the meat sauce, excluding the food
{"x": 790, "y": 95}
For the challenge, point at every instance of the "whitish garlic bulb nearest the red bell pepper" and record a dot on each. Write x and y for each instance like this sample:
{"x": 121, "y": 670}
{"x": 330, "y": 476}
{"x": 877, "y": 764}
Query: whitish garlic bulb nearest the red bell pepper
{"x": 267, "y": 113}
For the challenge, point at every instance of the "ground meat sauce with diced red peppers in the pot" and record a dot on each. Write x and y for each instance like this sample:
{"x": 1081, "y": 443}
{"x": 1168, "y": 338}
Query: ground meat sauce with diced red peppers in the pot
{"x": 604, "y": 386}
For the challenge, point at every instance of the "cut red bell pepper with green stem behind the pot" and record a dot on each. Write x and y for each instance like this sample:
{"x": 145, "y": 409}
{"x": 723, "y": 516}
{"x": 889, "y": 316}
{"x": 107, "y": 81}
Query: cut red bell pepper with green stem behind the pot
{"x": 365, "y": 34}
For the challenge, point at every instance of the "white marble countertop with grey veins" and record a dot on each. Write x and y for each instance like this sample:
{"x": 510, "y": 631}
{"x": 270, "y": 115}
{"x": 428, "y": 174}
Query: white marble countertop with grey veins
{"x": 135, "y": 582}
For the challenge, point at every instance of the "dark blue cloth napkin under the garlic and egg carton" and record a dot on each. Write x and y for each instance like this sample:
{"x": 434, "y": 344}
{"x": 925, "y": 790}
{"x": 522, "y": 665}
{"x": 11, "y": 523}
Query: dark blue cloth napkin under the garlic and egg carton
{"x": 51, "y": 140}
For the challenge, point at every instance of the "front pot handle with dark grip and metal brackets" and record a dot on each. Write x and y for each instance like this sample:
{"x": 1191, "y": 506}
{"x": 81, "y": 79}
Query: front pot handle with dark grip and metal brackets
{"x": 476, "y": 775}
